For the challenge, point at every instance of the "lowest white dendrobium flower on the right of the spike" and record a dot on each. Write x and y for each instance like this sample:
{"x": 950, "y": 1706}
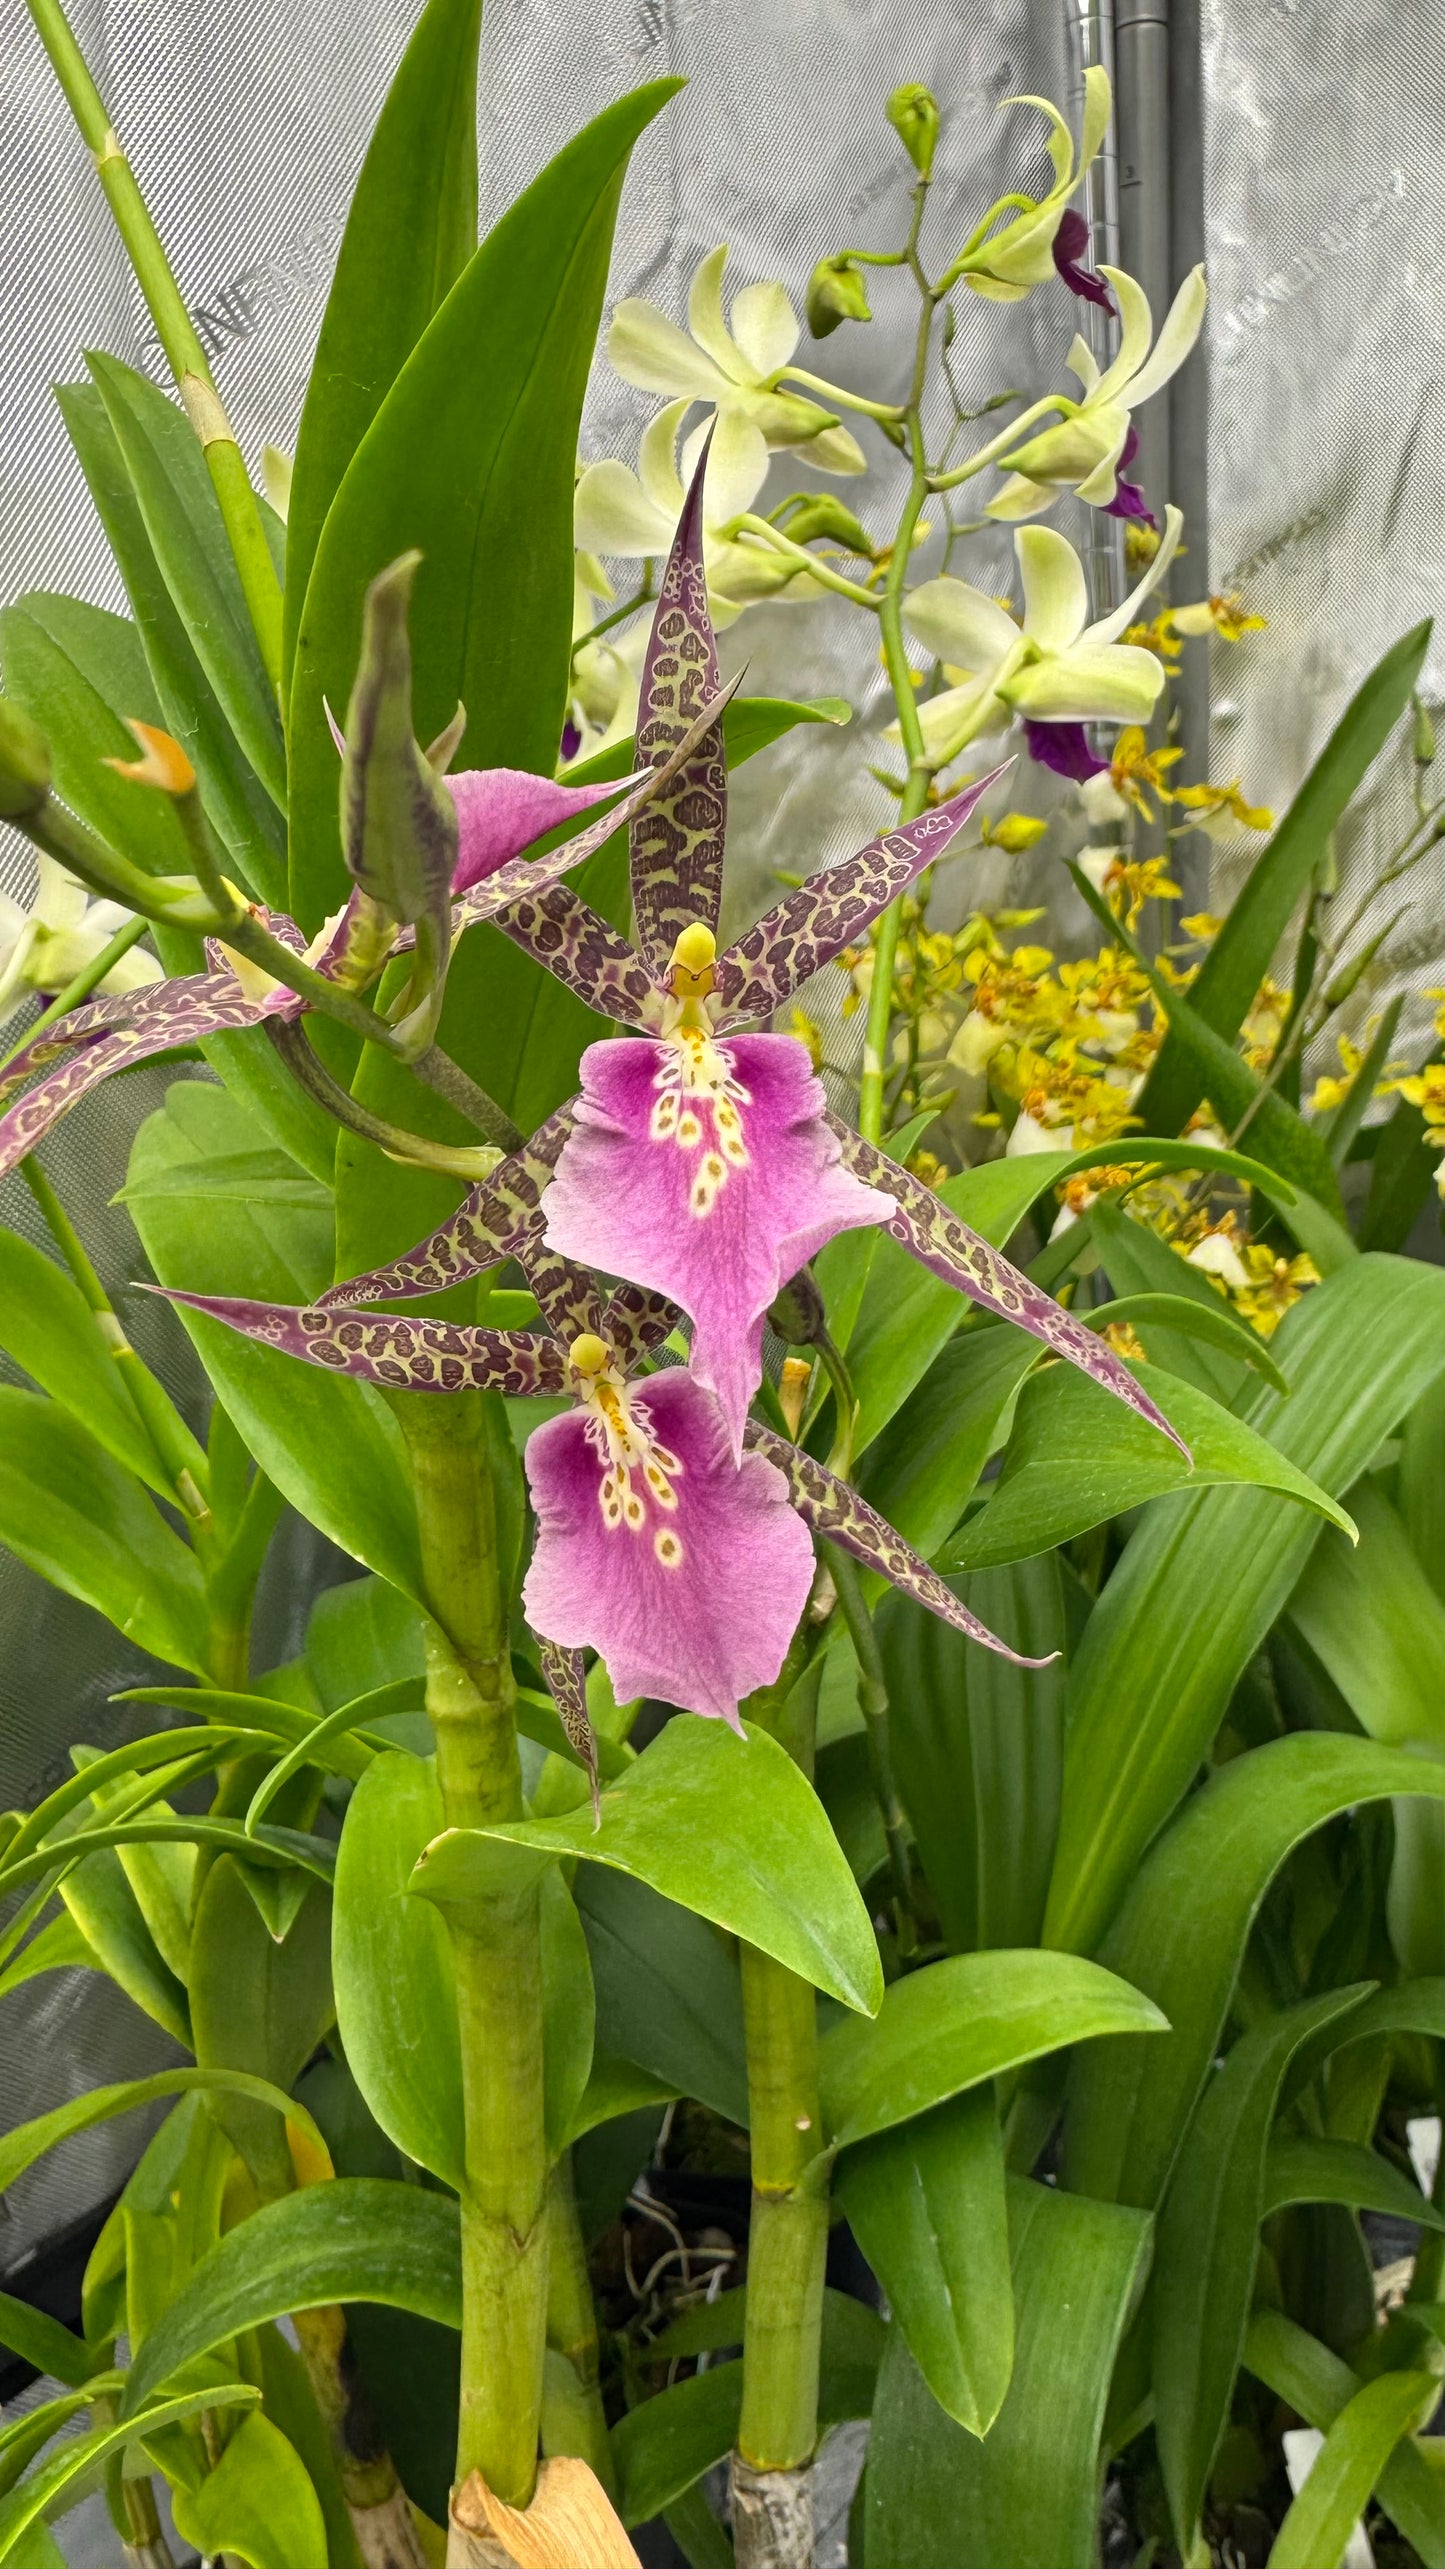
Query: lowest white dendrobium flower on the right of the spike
{"x": 1055, "y": 667}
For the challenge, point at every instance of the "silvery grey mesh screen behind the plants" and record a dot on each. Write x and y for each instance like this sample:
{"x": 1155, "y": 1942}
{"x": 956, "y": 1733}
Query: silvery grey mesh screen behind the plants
{"x": 248, "y": 127}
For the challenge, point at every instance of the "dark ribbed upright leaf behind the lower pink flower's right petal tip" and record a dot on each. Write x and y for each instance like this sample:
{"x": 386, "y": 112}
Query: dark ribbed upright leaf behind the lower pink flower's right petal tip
{"x": 978, "y": 1748}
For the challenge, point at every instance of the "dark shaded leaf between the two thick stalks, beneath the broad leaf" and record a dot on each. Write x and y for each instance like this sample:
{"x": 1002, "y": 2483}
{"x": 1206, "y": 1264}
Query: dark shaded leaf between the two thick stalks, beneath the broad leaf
{"x": 670, "y": 2000}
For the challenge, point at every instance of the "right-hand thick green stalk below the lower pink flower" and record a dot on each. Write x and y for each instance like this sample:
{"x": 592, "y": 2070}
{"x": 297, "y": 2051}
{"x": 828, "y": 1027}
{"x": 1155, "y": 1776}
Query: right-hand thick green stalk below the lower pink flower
{"x": 788, "y": 2239}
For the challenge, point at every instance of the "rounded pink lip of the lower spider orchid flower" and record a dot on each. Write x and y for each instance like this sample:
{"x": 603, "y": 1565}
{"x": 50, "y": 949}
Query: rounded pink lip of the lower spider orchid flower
{"x": 685, "y": 1571}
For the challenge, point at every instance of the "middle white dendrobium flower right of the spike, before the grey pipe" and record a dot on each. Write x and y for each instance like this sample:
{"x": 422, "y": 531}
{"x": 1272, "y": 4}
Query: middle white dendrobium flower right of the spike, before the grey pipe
{"x": 1086, "y": 446}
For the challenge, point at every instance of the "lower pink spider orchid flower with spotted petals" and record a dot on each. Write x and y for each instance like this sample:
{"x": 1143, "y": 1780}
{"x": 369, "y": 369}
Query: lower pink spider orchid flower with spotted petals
{"x": 683, "y": 1568}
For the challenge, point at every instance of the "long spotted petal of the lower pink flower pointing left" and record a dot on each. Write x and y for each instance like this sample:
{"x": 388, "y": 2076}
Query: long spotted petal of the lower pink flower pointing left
{"x": 397, "y": 1355}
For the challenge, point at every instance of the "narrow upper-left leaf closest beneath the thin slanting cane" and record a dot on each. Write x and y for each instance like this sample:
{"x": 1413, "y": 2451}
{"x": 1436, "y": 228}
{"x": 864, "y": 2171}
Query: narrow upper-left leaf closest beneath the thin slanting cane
{"x": 189, "y": 541}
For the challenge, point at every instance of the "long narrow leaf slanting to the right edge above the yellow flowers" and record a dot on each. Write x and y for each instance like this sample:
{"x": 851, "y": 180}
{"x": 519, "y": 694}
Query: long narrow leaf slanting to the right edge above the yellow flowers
{"x": 1279, "y": 880}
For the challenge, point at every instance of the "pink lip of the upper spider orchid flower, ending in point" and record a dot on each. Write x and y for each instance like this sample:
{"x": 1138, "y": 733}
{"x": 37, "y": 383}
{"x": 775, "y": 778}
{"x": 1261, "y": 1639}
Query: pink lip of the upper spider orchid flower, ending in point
{"x": 706, "y": 1170}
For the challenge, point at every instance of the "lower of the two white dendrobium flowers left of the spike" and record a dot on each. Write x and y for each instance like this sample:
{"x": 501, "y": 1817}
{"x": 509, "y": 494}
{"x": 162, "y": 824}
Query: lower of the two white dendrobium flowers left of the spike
{"x": 634, "y": 515}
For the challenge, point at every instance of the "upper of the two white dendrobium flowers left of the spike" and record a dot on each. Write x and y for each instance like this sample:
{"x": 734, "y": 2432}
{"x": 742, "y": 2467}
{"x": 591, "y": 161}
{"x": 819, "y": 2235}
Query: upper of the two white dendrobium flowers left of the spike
{"x": 731, "y": 369}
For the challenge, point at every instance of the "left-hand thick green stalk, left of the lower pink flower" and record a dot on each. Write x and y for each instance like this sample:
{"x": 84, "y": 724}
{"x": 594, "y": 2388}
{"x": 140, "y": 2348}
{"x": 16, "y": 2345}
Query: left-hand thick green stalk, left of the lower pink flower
{"x": 495, "y": 1949}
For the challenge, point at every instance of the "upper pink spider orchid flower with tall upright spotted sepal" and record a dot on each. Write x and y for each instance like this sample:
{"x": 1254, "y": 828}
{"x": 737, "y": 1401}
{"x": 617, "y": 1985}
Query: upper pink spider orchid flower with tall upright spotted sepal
{"x": 703, "y": 1160}
